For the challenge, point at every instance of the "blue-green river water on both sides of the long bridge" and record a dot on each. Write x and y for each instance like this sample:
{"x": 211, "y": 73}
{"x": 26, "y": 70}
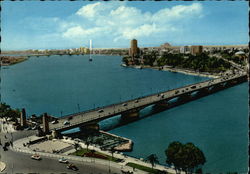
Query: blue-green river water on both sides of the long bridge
{"x": 217, "y": 124}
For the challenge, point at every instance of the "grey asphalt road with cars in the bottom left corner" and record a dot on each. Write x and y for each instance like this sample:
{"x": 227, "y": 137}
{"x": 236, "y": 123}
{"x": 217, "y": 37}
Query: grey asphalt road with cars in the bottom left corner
{"x": 17, "y": 162}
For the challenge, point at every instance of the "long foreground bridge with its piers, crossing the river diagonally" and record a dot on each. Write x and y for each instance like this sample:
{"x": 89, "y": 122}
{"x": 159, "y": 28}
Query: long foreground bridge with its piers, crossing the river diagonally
{"x": 130, "y": 109}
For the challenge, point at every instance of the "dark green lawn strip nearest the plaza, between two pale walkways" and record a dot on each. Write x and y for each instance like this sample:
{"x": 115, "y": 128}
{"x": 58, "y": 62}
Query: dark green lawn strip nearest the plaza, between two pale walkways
{"x": 95, "y": 154}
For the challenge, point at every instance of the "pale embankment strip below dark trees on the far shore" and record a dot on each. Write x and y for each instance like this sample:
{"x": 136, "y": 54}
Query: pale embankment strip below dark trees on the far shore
{"x": 176, "y": 70}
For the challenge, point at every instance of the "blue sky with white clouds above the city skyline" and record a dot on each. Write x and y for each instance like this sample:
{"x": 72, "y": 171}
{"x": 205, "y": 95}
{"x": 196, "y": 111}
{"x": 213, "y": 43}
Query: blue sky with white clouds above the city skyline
{"x": 70, "y": 24}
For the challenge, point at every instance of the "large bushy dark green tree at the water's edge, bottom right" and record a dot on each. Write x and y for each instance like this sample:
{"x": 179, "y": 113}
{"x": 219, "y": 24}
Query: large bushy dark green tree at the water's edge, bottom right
{"x": 184, "y": 157}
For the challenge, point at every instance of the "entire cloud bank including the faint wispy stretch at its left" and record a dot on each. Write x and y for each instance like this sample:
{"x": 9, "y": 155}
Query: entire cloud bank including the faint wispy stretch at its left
{"x": 115, "y": 23}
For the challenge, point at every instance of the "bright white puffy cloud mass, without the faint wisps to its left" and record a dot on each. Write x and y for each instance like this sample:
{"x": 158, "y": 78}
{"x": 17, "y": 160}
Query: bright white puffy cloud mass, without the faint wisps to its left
{"x": 117, "y": 21}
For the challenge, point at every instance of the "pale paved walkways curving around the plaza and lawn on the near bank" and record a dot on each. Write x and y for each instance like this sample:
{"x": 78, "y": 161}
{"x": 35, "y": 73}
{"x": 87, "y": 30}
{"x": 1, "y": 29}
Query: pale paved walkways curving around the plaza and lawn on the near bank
{"x": 18, "y": 146}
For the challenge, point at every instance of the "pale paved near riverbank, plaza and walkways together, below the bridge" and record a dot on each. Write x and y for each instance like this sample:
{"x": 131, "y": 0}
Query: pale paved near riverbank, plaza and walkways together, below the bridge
{"x": 122, "y": 164}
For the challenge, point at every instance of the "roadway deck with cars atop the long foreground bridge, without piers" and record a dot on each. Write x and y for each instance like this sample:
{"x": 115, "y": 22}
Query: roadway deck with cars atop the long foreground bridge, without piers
{"x": 116, "y": 109}
